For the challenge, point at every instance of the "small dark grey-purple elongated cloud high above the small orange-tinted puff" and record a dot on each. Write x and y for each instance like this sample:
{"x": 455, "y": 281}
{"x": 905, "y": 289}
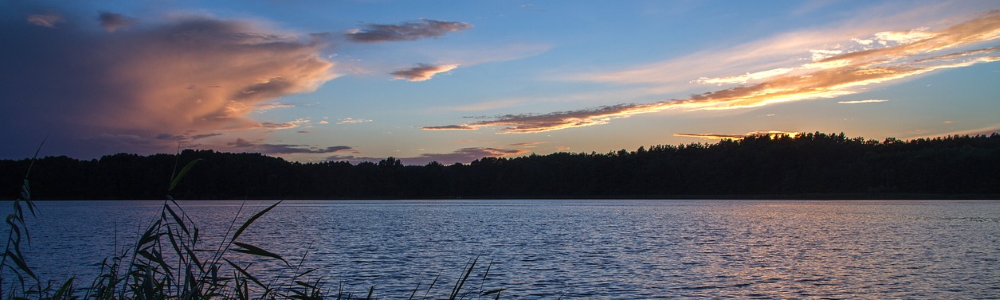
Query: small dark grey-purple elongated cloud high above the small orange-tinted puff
{"x": 407, "y": 31}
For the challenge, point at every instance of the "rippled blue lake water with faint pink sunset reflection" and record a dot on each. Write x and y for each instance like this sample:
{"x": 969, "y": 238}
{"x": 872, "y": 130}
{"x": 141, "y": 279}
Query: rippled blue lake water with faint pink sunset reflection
{"x": 583, "y": 249}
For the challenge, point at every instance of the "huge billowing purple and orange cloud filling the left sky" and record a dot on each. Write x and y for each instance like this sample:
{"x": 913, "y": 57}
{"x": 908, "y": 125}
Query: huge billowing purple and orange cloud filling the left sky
{"x": 190, "y": 74}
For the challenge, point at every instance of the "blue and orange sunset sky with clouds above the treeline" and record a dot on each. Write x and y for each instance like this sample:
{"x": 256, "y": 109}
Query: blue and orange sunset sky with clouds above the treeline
{"x": 454, "y": 81}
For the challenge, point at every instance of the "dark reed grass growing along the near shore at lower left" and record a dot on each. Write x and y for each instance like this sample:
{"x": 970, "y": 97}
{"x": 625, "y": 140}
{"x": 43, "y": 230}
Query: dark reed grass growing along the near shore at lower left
{"x": 170, "y": 261}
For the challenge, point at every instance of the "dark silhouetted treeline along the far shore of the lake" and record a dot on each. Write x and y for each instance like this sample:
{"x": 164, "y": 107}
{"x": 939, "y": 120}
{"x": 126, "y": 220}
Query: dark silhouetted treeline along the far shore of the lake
{"x": 811, "y": 165}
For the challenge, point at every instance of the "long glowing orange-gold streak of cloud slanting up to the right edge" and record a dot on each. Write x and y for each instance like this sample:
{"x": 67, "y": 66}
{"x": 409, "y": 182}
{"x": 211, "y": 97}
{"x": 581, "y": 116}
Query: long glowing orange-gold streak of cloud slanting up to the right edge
{"x": 830, "y": 77}
